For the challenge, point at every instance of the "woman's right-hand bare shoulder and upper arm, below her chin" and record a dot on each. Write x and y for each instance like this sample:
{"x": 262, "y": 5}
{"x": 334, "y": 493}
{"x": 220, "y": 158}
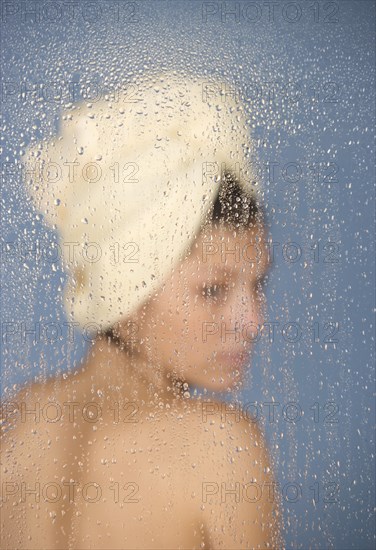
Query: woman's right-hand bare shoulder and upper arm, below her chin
{"x": 239, "y": 503}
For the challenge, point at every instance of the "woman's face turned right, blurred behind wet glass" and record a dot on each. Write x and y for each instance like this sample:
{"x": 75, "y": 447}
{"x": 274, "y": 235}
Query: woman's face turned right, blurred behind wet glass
{"x": 201, "y": 322}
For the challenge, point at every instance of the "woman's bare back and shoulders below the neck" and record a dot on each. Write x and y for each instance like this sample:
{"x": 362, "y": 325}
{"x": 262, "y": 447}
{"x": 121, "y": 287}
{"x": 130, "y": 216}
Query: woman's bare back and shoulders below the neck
{"x": 91, "y": 470}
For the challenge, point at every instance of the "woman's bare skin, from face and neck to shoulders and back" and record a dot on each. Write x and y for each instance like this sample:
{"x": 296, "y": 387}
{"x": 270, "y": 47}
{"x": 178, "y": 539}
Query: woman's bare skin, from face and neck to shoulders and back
{"x": 162, "y": 459}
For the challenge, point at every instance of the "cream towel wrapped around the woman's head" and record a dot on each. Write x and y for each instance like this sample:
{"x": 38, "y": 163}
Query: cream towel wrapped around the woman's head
{"x": 129, "y": 184}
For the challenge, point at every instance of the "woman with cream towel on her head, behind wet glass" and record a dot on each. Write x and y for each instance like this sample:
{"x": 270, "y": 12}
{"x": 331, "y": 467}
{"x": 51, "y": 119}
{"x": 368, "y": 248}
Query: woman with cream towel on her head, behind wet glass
{"x": 122, "y": 453}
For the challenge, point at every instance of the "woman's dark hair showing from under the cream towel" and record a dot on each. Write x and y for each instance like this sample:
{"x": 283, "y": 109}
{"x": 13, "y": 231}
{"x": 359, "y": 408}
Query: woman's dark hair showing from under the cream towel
{"x": 234, "y": 207}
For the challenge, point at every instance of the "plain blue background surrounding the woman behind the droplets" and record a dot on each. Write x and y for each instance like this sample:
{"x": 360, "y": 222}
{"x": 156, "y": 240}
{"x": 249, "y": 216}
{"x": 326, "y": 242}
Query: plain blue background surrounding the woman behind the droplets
{"x": 330, "y": 123}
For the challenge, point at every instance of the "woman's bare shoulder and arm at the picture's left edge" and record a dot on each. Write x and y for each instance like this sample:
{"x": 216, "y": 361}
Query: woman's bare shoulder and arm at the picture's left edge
{"x": 37, "y": 452}
